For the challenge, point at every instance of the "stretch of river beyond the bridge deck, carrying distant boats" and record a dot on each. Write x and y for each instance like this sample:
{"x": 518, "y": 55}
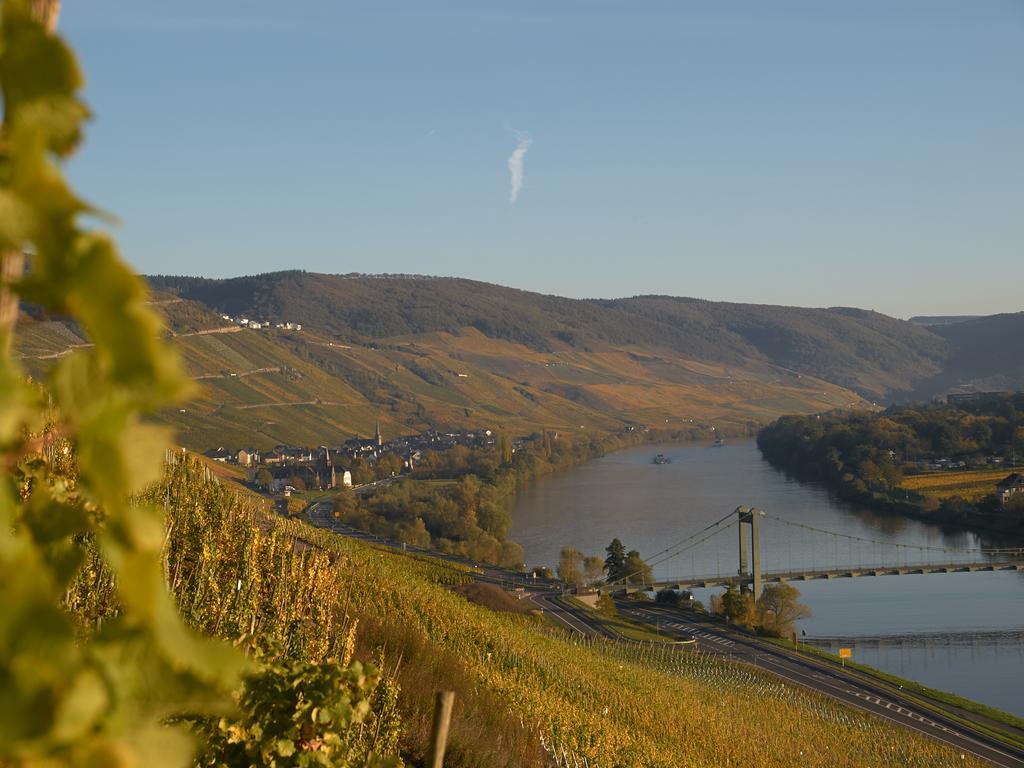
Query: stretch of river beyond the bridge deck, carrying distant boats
{"x": 650, "y": 507}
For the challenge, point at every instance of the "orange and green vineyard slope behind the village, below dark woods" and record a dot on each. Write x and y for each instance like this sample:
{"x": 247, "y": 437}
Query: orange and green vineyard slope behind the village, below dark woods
{"x": 266, "y": 388}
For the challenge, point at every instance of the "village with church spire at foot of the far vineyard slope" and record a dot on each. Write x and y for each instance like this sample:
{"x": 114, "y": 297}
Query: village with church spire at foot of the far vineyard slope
{"x": 329, "y": 467}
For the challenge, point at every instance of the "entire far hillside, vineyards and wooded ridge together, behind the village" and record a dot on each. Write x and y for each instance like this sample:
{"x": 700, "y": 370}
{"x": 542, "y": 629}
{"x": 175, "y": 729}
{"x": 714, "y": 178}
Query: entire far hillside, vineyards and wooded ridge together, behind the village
{"x": 420, "y": 353}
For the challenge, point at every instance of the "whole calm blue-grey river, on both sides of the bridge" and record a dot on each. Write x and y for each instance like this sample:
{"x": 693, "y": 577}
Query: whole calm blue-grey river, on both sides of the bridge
{"x": 919, "y": 627}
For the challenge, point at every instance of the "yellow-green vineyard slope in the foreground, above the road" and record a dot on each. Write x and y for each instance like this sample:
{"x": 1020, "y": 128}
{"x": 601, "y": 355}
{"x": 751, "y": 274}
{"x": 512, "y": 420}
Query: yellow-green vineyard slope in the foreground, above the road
{"x": 523, "y": 686}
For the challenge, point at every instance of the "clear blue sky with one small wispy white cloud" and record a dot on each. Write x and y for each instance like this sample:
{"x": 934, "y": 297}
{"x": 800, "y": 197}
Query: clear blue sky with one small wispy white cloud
{"x": 824, "y": 153}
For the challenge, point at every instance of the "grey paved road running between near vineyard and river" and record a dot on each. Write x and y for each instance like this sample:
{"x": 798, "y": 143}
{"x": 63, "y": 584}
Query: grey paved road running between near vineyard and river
{"x": 850, "y": 688}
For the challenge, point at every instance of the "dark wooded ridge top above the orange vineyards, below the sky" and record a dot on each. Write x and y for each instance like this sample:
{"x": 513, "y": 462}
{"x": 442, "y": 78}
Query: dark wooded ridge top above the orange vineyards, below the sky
{"x": 871, "y": 354}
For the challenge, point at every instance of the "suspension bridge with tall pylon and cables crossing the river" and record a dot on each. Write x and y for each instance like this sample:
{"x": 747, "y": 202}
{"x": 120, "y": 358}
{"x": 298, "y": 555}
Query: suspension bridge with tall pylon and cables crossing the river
{"x": 865, "y": 558}
